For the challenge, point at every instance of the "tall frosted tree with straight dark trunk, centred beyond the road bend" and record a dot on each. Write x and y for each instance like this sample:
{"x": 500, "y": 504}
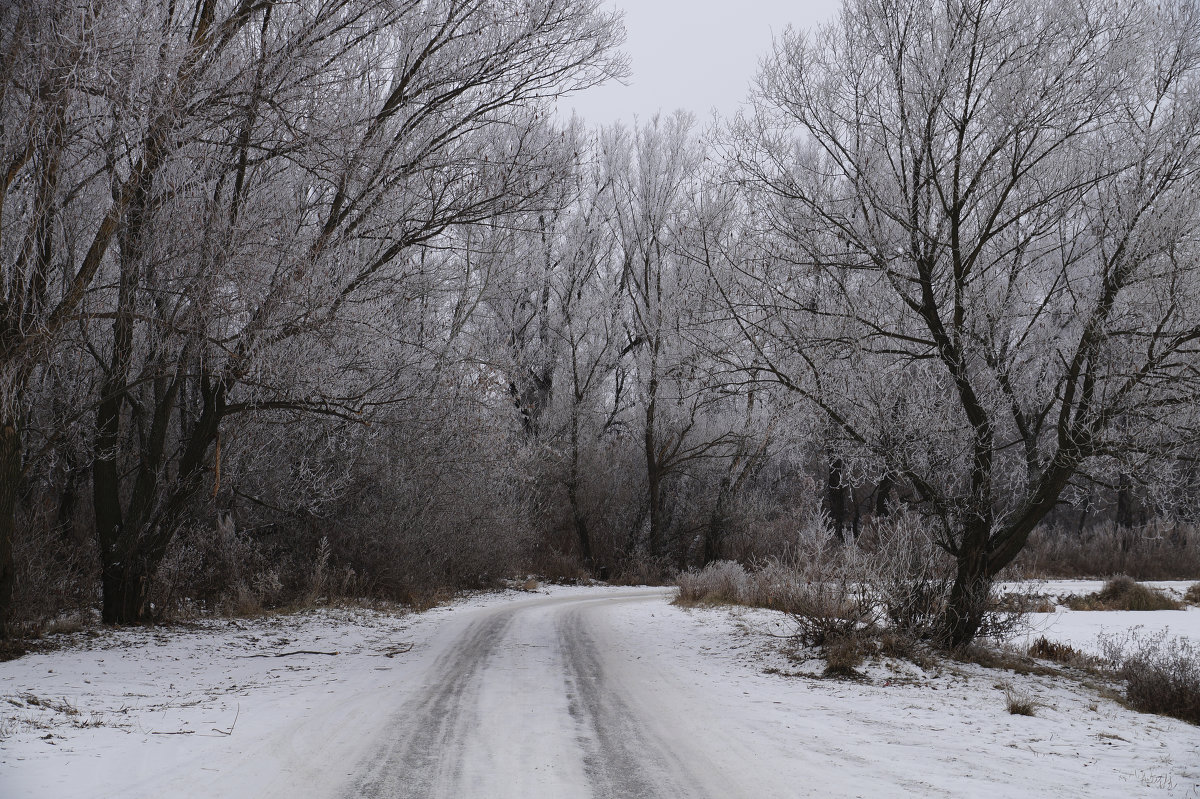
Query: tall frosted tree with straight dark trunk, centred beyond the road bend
{"x": 656, "y": 184}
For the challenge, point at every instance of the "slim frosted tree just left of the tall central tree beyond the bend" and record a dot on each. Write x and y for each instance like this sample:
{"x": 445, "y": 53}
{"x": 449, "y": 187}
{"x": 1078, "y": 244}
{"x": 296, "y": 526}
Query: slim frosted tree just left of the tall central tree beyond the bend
{"x": 556, "y": 331}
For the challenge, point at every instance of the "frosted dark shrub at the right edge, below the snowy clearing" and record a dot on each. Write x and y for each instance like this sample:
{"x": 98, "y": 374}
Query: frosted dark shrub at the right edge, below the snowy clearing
{"x": 1162, "y": 675}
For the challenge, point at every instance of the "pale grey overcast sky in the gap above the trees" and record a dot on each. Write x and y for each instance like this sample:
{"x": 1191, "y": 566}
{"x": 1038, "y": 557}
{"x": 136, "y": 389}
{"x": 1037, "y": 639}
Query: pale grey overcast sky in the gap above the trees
{"x": 693, "y": 55}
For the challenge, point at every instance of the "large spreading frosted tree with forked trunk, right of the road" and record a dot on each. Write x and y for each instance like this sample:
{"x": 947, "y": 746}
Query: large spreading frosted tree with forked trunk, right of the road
{"x": 981, "y": 223}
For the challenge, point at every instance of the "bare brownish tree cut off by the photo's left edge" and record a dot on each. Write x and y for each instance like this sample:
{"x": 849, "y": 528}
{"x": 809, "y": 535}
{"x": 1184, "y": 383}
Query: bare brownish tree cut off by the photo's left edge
{"x": 58, "y": 215}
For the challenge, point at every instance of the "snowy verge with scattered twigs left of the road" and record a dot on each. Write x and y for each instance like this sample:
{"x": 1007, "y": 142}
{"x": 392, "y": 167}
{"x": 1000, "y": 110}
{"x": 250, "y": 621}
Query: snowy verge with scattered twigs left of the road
{"x": 161, "y": 705}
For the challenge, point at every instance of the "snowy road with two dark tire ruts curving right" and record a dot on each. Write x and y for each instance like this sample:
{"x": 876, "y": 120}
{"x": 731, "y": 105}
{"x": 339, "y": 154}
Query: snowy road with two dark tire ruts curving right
{"x": 544, "y": 699}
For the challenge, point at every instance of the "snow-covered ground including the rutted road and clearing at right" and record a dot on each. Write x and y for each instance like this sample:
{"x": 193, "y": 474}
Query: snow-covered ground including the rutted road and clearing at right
{"x": 565, "y": 693}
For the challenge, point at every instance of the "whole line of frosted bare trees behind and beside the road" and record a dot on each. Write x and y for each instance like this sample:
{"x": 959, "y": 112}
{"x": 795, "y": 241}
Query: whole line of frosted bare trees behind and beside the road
{"x": 310, "y": 298}
